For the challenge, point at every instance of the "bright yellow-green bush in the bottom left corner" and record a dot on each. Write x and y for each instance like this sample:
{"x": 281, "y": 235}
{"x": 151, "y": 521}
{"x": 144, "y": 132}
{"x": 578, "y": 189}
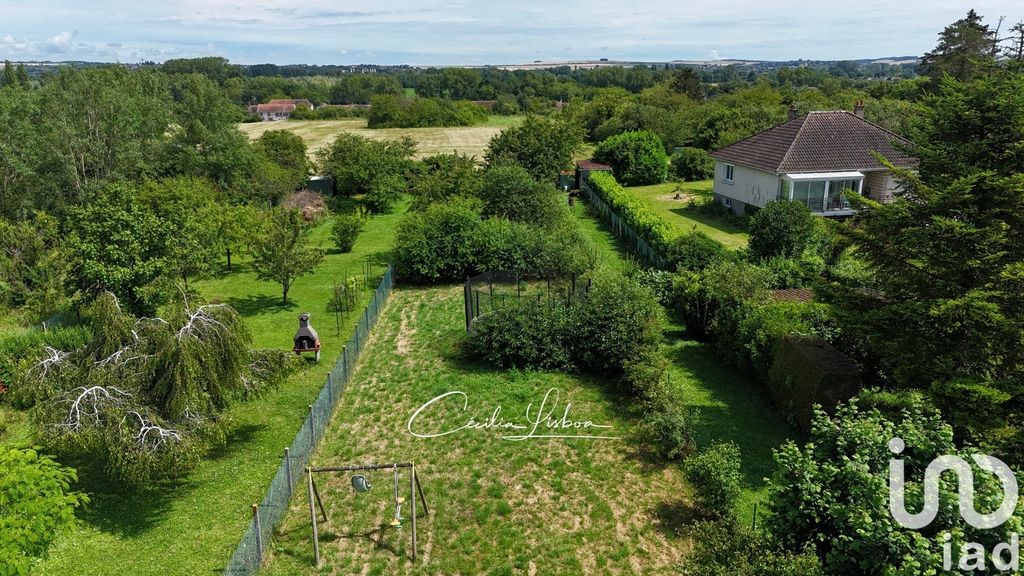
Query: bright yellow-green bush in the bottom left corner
{"x": 37, "y": 504}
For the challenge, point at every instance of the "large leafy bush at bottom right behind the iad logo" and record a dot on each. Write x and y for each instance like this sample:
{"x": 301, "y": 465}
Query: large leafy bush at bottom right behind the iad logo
{"x": 829, "y": 495}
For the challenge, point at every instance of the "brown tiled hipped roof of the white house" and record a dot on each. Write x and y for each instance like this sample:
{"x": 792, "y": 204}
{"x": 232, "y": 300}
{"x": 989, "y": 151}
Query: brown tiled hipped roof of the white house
{"x": 820, "y": 142}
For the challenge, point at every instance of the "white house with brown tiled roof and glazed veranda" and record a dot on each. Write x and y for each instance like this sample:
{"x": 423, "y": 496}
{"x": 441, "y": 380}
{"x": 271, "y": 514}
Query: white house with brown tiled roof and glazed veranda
{"x": 812, "y": 159}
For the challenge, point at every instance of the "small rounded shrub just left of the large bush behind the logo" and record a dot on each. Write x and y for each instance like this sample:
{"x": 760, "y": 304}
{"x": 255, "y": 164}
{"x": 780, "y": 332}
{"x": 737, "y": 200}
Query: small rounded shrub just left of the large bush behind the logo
{"x": 716, "y": 479}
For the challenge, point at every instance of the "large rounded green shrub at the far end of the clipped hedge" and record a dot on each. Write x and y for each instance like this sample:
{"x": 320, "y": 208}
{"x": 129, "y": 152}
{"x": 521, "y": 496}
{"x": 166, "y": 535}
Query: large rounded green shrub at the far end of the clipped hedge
{"x": 638, "y": 158}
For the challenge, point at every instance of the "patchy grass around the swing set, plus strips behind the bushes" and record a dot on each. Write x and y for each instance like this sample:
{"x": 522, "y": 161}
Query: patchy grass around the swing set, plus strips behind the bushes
{"x": 502, "y": 507}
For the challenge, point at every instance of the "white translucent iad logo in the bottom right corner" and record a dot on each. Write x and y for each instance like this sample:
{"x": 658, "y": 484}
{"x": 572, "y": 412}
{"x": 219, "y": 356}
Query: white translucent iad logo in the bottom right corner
{"x": 973, "y": 555}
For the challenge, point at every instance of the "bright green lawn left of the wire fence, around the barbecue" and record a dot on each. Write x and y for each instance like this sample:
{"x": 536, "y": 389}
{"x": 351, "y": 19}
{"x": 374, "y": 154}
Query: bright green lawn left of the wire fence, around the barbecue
{"x": 193, "y": 526}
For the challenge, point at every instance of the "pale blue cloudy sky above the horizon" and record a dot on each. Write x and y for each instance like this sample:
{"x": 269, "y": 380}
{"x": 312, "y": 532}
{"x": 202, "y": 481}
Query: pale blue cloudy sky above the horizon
{"x": 461, "y": 32}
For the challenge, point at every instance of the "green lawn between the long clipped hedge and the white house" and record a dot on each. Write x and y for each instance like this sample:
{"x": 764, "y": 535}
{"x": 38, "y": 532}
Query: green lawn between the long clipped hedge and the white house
{"x": 676, "y": 213}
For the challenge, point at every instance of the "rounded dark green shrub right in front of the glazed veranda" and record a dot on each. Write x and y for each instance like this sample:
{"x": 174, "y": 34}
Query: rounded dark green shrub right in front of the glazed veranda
{"x": 782, "y": 229}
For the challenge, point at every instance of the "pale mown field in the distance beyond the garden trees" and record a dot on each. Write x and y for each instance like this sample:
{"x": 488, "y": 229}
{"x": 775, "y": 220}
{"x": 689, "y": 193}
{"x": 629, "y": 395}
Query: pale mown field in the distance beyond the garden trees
{"x": 318, "y": 134}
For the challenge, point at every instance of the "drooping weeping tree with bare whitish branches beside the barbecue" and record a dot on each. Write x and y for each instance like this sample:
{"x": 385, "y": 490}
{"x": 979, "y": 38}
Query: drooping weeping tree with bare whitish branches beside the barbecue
{"x": 146, "y": 394}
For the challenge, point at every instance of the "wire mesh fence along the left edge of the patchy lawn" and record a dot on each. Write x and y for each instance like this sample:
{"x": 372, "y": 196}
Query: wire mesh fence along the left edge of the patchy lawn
{"x": 269, "y": 514}
